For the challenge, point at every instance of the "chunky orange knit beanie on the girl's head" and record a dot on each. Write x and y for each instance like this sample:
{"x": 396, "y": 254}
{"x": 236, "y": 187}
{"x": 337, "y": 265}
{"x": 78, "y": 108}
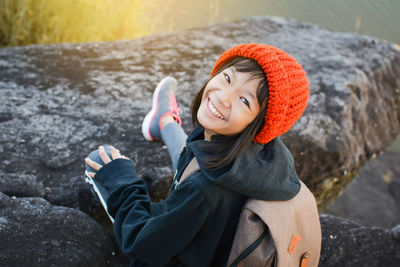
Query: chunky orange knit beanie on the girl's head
{"x": 287, "y": 82}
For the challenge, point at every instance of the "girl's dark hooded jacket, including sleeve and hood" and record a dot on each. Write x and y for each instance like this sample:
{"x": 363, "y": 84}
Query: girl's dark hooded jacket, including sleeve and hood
{"x": 195, "y": 225}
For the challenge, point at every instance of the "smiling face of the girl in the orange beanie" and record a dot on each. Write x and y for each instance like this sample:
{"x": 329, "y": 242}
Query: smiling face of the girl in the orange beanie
{"x": 229, "y": 103}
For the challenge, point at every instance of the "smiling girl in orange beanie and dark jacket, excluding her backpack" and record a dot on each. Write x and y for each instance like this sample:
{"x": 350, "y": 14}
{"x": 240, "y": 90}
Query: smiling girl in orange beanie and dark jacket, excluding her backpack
{"x": 256, "y": 93}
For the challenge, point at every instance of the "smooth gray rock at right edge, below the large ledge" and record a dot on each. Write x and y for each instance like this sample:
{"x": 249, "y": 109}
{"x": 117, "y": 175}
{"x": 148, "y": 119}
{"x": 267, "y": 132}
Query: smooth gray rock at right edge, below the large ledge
{"x": 373, "y": 197}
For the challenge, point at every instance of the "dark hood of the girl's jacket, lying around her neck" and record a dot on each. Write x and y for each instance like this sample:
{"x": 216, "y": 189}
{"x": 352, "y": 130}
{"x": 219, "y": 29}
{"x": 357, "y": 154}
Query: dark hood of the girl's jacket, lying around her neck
{"x": 263, "y": 171}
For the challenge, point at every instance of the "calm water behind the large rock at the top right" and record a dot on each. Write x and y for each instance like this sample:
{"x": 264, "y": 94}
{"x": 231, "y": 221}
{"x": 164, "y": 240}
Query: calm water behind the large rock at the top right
{"x": 379, "y": 18}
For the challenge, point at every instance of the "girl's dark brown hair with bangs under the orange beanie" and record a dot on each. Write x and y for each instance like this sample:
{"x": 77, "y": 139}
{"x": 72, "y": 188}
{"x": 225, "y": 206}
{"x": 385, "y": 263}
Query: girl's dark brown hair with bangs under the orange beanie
{"x": 222, "y": 149}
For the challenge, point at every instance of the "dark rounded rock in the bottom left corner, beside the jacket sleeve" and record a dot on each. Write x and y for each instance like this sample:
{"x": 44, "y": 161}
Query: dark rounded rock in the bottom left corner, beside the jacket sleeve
{"x": 35, "y": 233}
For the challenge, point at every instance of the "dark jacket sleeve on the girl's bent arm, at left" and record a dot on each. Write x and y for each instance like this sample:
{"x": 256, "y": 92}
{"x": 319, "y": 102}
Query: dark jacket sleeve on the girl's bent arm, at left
{"x": 153, "y": 240}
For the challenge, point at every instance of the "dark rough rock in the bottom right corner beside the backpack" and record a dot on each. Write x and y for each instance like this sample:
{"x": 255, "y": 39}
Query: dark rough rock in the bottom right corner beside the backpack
{"x": 345, "y": 243}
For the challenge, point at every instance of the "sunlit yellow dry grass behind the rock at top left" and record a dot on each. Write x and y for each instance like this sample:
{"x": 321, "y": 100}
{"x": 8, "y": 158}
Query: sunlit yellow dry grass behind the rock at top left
{"x": 24, "y": 22}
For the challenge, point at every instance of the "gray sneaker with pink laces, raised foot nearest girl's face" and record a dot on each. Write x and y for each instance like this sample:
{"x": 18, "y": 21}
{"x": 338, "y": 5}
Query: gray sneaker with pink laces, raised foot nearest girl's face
{"x": 164, "y": 103}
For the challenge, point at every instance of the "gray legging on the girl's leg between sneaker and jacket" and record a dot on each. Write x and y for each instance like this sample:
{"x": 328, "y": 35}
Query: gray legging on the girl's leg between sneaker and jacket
{"x": 174, "y": 137}
